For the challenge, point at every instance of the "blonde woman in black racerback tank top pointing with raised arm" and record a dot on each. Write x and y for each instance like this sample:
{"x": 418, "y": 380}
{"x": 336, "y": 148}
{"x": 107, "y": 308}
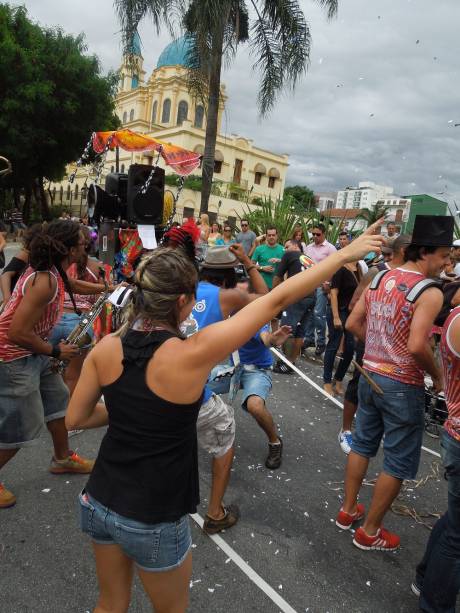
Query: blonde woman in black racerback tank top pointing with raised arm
{"x": 145, "y": 480}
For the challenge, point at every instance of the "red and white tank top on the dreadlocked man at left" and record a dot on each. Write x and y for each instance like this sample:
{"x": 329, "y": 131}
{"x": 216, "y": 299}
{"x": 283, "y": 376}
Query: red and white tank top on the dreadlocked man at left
{"x": 8, "y": 350}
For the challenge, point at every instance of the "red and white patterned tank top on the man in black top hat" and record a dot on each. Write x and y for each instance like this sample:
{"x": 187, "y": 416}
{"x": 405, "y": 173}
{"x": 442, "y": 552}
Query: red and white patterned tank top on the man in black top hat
{"x": 389, "y": 317}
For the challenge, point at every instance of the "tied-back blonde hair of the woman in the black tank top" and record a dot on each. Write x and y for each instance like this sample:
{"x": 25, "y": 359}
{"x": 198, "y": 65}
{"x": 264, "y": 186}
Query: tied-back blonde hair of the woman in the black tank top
{"x": 159, "y": 281}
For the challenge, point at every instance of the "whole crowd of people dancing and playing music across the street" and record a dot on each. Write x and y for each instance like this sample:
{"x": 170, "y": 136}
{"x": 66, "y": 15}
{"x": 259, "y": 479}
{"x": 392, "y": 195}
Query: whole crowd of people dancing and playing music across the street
{"x": 194, "y": 332}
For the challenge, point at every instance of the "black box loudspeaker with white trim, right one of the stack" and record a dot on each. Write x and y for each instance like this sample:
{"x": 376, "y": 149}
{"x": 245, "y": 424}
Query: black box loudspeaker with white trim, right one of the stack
{"x": 146, "y": 209}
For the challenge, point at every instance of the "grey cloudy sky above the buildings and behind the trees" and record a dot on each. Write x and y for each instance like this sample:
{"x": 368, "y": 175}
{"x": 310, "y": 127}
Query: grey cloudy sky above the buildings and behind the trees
{"x": 379, "y": 102}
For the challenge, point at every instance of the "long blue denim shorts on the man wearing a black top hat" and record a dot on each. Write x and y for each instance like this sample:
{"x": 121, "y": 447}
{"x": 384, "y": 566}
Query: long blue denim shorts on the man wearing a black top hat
{"x": 399, "y": 414}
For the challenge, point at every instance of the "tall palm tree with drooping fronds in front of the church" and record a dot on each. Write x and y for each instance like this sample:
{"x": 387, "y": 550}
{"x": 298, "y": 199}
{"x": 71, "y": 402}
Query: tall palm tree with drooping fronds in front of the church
{"x": 276, "y": 31}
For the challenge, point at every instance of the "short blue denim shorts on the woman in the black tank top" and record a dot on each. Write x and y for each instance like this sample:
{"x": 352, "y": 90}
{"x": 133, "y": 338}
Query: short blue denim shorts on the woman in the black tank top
{"x": 153, "y": 547}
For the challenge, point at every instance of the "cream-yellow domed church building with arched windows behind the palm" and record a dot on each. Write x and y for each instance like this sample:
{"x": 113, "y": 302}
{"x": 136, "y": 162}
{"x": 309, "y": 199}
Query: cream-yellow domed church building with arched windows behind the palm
{"x": 162, "y": 107}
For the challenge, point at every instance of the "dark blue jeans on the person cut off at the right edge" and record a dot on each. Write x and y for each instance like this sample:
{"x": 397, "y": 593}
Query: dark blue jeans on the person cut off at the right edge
{"x": 438, "y": 574}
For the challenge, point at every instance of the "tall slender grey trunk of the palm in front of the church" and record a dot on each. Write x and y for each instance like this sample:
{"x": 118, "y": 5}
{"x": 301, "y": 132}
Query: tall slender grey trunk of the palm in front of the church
{"x": 211, "y": 120}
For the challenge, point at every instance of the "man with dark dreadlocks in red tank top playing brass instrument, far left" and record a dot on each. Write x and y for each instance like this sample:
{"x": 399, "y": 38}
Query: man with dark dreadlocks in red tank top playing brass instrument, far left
{"x": 31, "y": 393}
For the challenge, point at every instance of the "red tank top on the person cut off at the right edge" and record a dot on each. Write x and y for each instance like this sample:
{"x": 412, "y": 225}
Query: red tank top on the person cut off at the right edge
{"x": 451, "y": 368}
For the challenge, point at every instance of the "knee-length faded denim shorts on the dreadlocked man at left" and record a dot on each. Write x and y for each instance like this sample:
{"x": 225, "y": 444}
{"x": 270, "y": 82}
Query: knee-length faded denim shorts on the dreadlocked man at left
{"x": 31, "y": 394}
